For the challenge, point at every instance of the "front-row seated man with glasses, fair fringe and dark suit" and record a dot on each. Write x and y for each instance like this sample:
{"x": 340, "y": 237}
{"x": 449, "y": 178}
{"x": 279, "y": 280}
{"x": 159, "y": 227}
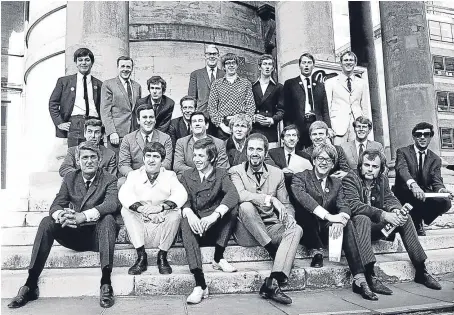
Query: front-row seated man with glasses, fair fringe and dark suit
{"x": 319, "y": 205}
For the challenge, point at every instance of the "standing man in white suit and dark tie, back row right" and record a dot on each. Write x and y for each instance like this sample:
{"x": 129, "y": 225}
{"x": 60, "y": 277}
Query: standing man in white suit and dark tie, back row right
{"x": 348, "y": 98}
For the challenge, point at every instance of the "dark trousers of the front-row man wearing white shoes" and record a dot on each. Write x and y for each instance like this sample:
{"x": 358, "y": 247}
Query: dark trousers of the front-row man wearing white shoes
{"x": 218, "y": 234}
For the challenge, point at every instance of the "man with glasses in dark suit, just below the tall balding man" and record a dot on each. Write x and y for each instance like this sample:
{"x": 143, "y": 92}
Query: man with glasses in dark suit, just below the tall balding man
{"x": 181, "y": 127}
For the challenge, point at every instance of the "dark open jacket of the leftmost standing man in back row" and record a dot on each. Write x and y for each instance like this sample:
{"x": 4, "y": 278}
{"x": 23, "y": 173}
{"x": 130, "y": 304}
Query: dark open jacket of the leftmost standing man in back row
{"x": 61, "y": 102}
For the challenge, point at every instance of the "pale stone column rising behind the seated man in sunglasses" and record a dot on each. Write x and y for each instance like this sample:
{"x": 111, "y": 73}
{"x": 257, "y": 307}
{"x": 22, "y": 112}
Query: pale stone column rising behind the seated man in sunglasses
{"x": 407, "y": 62}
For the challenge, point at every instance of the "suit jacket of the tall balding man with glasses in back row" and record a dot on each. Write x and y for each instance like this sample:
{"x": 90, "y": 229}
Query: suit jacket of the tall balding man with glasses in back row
{"x": 200, "y": 86}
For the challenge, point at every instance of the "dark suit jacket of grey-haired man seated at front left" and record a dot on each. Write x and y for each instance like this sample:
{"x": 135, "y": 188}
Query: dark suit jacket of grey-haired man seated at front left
{"x": 102, "y": 193}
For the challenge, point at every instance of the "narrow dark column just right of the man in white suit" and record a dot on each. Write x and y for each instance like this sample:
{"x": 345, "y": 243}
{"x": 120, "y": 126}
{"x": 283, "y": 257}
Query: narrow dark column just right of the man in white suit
{"x": 362, "y": 44}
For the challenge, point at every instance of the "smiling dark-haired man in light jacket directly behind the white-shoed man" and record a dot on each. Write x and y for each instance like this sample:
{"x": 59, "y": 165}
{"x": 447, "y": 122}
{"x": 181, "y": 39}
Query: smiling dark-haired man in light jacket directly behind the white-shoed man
{"x": 184, "y": 149}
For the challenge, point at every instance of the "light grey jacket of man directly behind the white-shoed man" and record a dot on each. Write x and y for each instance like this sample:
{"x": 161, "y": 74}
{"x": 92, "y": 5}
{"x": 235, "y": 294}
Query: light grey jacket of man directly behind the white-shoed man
{"x": 184, "y": 152}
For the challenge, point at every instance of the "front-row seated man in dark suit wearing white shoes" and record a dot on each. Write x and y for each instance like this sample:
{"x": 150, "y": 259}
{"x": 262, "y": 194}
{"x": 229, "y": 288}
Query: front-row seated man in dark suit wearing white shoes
{"x": 209, "y": 215}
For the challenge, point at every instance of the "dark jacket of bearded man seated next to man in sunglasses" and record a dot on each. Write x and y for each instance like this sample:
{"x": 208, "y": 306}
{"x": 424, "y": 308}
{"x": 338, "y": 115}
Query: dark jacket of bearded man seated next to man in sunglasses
{"x": 382, "y": 198}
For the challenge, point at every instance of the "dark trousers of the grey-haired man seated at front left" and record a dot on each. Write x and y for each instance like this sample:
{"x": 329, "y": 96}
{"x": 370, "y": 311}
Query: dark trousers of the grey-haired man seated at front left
{"x": 99, "y": 237}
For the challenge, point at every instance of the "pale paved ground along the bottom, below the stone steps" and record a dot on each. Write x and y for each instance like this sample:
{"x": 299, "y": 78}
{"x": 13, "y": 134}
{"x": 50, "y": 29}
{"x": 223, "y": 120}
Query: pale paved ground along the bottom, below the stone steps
{"x": 408, "y": 298}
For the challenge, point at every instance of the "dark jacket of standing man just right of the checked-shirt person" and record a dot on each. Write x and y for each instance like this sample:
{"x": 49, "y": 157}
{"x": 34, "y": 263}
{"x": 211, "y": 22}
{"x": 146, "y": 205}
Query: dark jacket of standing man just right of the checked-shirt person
{"x": 269, "y": 104}
